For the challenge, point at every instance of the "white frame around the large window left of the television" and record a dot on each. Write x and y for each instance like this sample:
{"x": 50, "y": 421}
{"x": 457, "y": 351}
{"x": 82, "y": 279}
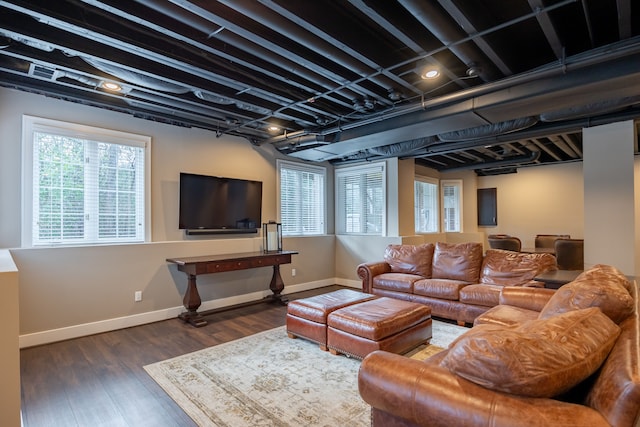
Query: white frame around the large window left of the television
{"x": 32, "y": 124}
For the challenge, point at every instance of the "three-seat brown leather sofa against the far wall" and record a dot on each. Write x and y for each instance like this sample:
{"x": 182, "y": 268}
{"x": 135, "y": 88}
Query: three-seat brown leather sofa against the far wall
{"x": 455, "y": 280}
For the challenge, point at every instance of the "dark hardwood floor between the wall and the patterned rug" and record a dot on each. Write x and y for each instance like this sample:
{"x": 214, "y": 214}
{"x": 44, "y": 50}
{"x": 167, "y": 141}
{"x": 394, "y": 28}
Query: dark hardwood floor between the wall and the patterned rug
{"x": 99, "y": 380}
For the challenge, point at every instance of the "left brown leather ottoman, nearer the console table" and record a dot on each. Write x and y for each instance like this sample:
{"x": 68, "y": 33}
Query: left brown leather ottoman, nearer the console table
{"x": 307, "y": 317}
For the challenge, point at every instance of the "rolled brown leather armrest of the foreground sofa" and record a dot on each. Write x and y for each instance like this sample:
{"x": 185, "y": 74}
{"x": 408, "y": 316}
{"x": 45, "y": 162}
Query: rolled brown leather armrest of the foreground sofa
{"x": 427, "y": 394}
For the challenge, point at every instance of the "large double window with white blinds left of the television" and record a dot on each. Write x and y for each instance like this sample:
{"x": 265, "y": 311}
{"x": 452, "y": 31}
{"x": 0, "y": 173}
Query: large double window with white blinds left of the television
{"x": 83, "y": 185}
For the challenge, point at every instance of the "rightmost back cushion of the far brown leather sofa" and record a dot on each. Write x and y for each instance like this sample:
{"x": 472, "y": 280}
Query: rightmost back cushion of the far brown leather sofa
{"x": 508, "y": 268}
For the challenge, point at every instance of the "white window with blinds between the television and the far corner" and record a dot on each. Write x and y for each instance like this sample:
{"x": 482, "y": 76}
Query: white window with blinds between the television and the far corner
{"x": 302, "y": 198}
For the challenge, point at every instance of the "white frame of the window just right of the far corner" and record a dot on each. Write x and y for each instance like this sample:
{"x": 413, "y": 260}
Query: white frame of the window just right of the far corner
{"x": 360, "y": 170}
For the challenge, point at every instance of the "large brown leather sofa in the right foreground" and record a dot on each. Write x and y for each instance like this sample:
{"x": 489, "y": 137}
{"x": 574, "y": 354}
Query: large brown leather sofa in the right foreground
{"x": 540, "y": 358}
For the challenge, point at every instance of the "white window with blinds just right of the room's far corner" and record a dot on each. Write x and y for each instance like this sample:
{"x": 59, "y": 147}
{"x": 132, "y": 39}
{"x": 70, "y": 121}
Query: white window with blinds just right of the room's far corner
{"x": 361, "y": 200}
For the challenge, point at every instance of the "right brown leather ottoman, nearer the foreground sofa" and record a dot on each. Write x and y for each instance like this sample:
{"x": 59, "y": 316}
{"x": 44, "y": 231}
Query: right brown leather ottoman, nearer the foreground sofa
{"x": 380, "y": 324}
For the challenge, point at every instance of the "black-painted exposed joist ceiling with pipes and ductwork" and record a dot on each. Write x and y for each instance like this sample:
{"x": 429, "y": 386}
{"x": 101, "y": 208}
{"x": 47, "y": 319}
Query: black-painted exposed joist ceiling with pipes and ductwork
{"x": 519, "y": 78}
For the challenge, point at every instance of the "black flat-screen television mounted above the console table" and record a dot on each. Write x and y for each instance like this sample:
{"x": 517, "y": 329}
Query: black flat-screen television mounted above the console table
{"x": 217, "y": 205}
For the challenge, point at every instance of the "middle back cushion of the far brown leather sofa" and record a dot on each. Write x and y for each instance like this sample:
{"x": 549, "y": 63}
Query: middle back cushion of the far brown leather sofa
{"x": 457, "y": 261}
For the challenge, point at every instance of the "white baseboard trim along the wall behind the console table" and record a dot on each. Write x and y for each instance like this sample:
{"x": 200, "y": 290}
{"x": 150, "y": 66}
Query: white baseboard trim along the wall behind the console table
{"x": 76, "y": 331}
